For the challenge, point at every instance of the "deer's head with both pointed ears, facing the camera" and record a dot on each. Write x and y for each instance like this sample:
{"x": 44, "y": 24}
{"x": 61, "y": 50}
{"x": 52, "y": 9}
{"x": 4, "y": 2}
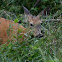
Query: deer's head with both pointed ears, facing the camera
{"x": 34, "y": 22}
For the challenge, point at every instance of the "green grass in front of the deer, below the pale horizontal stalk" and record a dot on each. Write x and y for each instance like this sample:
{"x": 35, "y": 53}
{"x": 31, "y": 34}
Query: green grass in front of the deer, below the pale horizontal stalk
{"x": 45, "y": 49}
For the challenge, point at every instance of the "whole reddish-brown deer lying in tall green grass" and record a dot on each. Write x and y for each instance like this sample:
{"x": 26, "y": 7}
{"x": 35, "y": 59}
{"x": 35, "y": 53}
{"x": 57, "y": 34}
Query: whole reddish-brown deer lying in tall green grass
{"x": 8, "y": 28}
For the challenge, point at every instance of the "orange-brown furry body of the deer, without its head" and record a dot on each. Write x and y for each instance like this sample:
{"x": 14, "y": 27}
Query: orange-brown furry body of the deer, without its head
{"x": 8, "y": 28}
